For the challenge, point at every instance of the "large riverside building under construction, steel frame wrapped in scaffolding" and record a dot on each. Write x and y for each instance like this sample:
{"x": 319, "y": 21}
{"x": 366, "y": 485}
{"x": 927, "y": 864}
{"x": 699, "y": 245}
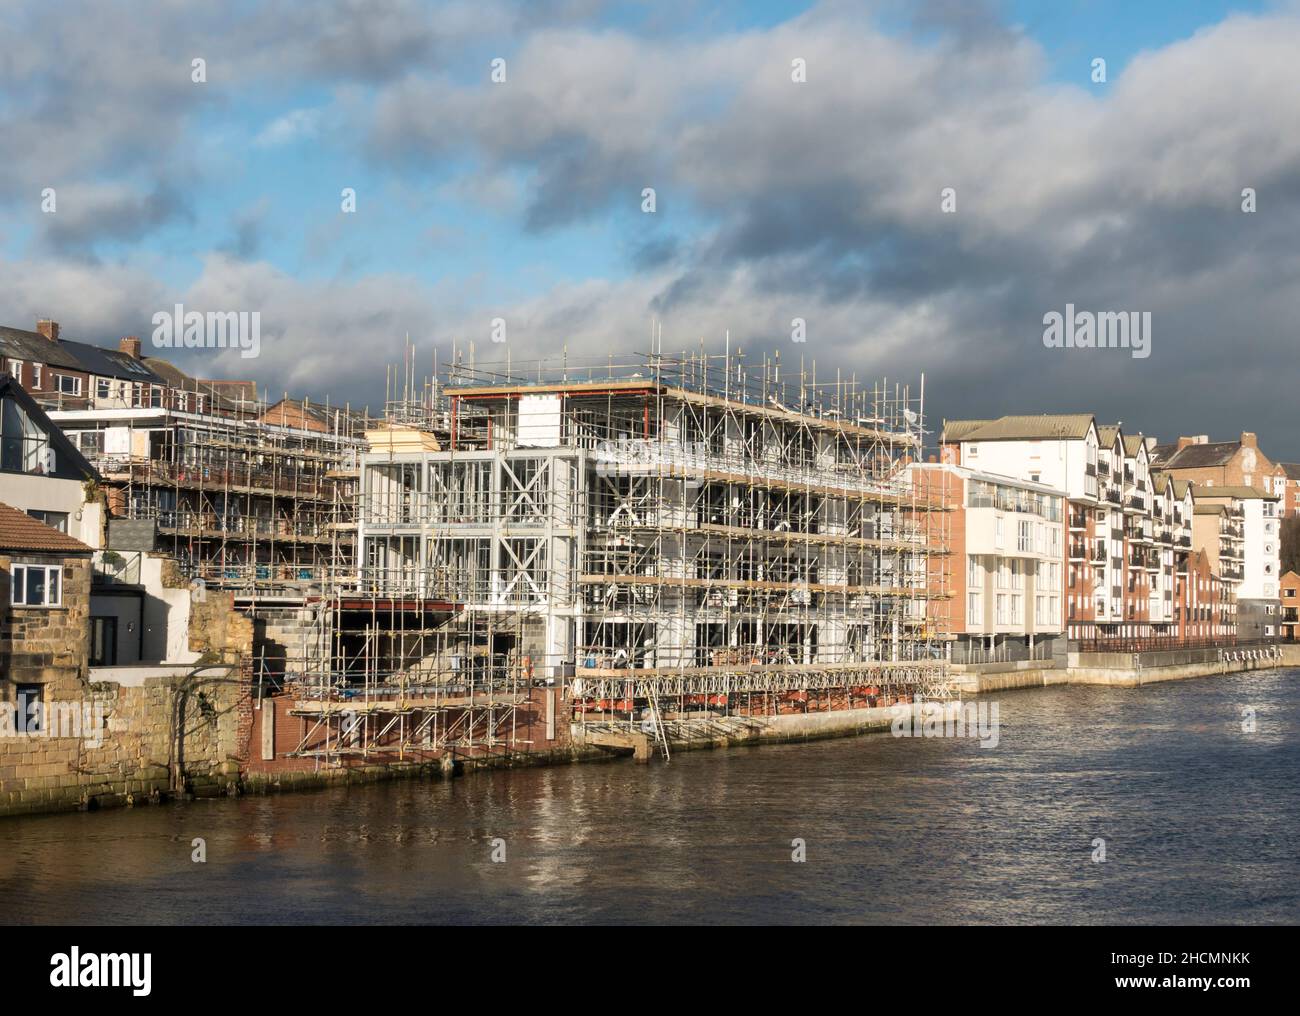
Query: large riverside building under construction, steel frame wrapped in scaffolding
{"x": 638, "y": 546}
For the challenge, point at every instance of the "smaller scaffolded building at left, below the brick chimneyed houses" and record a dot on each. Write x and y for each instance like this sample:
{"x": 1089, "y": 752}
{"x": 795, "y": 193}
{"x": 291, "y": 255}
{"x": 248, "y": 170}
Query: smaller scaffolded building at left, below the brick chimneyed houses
{"x": 248, "y": 496}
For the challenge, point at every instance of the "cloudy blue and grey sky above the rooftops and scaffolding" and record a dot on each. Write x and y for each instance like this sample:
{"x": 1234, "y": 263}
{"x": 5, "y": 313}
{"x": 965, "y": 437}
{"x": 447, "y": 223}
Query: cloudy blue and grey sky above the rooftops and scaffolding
{"x": 774, "y": 199}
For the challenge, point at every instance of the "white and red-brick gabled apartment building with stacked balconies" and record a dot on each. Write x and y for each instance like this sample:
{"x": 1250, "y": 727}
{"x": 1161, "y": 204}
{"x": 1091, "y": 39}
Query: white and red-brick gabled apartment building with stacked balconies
{"x": 1129, "y": 529}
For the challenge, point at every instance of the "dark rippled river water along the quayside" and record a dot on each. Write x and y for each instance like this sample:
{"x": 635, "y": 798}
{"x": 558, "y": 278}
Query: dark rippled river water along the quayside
{"x": 1202, "y": 824}
